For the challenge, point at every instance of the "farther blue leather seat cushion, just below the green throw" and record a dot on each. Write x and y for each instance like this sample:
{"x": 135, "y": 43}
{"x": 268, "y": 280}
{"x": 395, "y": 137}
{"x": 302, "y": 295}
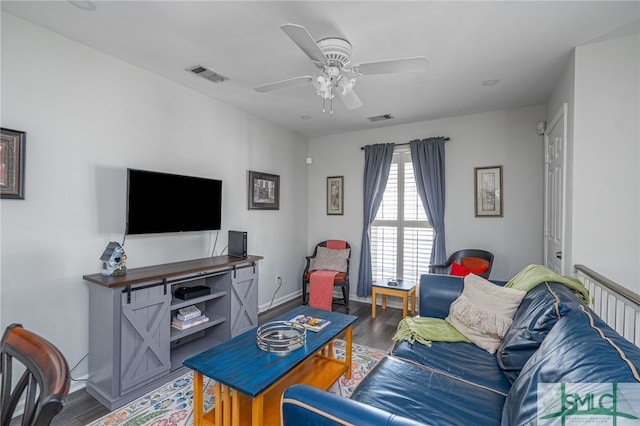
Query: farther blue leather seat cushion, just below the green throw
{"x": 459, "y": 359}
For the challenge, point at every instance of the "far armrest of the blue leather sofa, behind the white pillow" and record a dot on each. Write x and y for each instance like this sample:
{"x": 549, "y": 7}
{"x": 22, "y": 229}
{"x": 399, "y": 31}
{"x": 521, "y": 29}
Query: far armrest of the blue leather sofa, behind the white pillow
{"x": 437, "y": 292}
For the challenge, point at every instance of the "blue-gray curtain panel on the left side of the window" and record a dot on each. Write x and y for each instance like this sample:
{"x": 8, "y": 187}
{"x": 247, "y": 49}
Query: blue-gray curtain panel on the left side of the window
{"x": 377, "y": 163}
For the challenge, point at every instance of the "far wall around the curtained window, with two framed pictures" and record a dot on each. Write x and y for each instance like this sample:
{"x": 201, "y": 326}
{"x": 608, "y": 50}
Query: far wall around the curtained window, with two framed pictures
{"x": 506, "y": 138}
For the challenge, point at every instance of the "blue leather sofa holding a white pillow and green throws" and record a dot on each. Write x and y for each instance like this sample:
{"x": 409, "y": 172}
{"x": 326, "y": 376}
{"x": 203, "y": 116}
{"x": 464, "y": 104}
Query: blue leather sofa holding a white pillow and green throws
{"x": 555, "y": 341}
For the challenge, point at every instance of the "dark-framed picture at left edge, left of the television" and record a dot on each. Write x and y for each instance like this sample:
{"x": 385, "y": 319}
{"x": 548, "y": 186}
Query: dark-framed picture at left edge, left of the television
{"x": 12, "y": 163}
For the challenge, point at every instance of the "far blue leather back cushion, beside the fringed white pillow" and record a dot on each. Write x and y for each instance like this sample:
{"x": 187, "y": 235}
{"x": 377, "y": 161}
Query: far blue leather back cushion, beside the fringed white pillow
{"x": 537, "y": 314}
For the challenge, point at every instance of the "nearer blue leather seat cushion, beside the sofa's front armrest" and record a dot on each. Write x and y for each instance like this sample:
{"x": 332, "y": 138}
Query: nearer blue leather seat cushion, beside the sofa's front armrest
{"x": 431, "y": 397}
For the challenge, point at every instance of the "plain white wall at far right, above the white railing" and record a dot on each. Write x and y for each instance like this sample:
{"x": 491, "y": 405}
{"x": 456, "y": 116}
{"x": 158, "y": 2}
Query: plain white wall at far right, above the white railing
{"x": 601, "y": 86}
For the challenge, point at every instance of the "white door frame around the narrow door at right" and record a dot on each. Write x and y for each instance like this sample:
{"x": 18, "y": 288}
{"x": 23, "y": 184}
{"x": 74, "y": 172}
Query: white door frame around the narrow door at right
{"x": 561, "y": 115}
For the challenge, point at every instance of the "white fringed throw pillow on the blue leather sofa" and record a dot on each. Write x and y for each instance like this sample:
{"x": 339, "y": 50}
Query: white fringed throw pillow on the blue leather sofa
{"x": 484, "y": 311}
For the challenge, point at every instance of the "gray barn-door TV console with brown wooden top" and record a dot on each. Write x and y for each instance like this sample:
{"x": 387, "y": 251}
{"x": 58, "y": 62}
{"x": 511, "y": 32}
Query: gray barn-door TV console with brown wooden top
{"x": 132, "y": 347}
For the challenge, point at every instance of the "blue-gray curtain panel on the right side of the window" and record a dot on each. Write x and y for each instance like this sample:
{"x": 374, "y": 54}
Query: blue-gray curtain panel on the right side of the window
{"x": 427, "y": 156}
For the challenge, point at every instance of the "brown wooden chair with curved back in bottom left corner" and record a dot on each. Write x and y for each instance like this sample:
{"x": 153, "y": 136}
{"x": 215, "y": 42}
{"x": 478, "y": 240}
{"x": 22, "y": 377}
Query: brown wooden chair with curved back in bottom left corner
{"x": 44, "y": 383}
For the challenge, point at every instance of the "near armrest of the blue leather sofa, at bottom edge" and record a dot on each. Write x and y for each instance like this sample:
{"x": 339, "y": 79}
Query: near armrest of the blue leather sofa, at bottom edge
{"x": 304, "y": 405}
